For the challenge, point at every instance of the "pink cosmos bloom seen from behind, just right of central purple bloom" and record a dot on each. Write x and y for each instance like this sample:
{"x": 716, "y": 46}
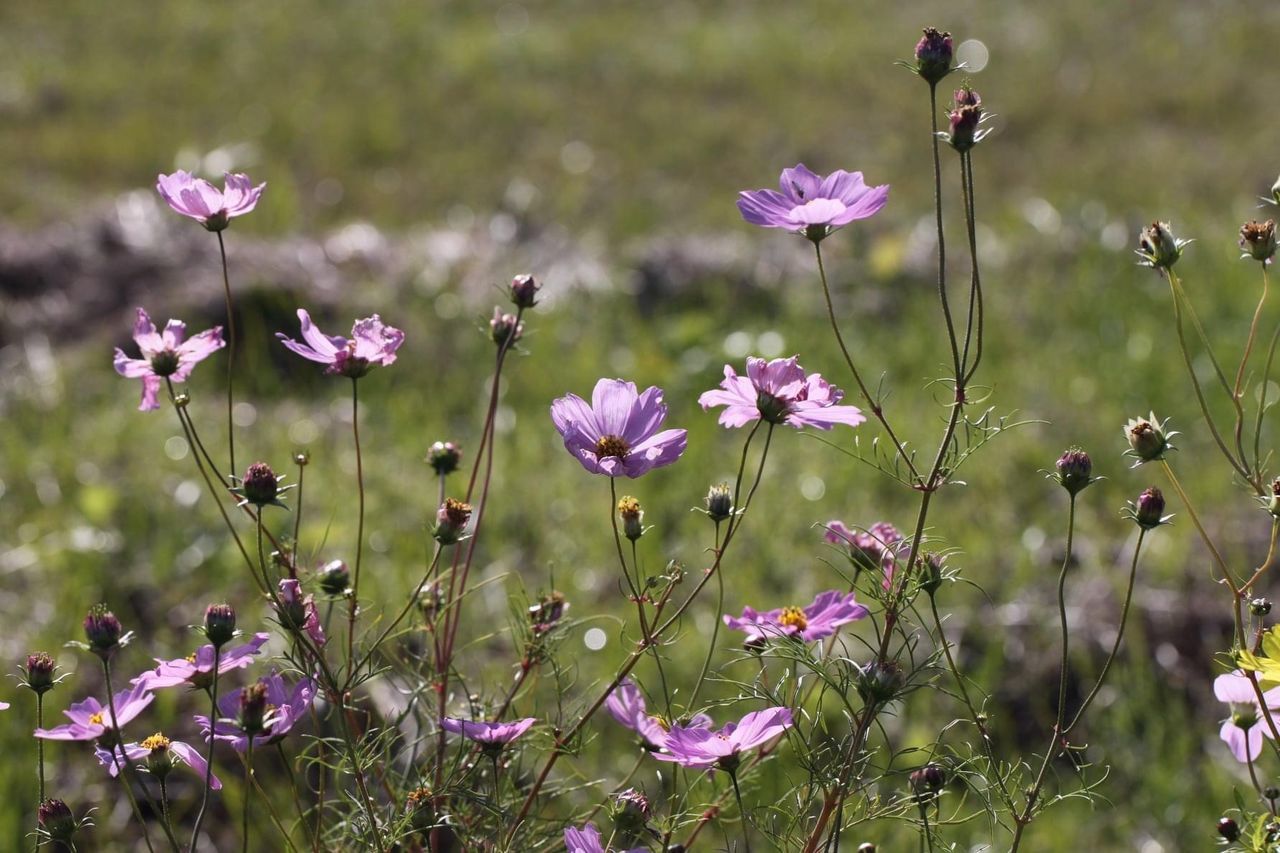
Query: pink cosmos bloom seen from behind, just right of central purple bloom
{"x": 780, "y": 393}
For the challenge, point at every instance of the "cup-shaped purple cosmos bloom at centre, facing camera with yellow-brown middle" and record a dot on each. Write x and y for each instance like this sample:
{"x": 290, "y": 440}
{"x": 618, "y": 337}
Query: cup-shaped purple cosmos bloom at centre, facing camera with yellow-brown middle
{"x": 619, "y": 432}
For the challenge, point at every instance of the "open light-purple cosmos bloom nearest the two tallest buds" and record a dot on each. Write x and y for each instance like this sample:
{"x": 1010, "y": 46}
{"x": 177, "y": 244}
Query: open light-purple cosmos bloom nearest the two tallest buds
{"x": 811, "y": 204}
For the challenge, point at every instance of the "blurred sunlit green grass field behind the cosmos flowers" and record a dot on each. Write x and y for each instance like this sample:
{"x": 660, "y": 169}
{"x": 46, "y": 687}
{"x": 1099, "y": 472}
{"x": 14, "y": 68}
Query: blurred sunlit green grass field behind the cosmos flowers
{"x": 420, "y": 154}
